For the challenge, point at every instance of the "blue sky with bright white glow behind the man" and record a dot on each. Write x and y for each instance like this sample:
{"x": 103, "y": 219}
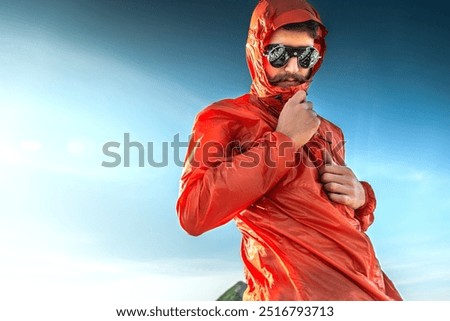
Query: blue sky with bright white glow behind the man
{"x": 75, "y": 75}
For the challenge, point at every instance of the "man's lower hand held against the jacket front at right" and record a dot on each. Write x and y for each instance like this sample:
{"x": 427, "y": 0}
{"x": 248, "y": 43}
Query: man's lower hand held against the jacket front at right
{"x": 341, "y": 184}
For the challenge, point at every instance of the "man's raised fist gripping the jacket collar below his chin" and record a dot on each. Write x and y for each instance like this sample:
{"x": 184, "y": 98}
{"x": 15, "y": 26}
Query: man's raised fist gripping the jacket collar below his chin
{"x": 298, "y": 120}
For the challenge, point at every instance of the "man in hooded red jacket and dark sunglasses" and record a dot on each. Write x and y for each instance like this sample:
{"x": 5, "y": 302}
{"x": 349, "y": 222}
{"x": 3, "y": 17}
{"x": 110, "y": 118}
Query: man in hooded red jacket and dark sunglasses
{"x": 269, "y": 162}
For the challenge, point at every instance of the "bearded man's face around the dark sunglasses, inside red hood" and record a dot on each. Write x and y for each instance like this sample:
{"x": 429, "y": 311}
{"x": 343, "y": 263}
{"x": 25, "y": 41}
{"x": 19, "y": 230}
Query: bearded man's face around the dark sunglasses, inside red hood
{"x": 290, "y": 74}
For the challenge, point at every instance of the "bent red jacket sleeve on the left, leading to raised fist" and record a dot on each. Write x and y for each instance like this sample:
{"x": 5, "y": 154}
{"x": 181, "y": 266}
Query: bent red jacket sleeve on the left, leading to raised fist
{"x": 219, "y": 180}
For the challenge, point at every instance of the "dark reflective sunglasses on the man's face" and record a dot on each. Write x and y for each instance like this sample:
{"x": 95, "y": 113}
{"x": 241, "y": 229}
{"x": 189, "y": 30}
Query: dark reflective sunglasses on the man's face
{"x": 278, "y": 55}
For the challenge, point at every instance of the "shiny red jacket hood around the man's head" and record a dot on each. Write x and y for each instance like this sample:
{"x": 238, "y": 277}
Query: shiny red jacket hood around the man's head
{"x": 268, "y": 16}
